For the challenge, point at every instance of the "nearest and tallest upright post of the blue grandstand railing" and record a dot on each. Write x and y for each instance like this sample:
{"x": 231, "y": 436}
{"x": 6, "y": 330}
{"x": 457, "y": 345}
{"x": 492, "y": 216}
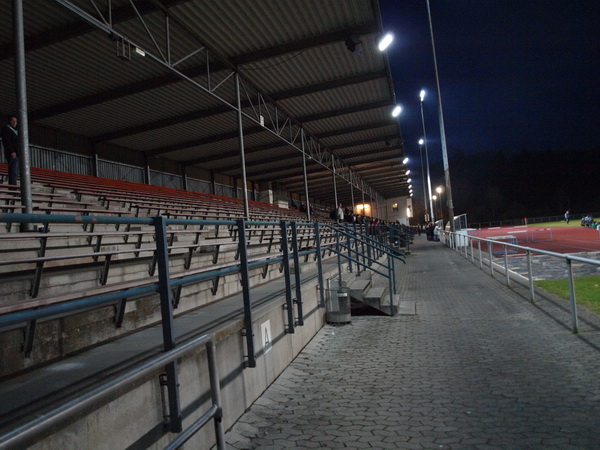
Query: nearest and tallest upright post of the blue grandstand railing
{"x": 166, "y": 309}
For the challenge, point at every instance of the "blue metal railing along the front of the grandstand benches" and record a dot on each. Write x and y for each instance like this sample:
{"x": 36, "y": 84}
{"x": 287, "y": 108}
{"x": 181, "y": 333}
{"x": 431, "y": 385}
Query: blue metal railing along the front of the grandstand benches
{"x": 352, "y": 251}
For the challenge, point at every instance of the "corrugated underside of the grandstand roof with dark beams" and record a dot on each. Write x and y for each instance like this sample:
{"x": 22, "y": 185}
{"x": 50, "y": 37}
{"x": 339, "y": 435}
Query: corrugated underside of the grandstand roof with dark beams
{"x": 300, "y": 88}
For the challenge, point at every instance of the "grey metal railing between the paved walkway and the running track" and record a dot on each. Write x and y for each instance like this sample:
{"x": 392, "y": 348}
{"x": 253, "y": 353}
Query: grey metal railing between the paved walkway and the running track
{"x": 453, "y": 240}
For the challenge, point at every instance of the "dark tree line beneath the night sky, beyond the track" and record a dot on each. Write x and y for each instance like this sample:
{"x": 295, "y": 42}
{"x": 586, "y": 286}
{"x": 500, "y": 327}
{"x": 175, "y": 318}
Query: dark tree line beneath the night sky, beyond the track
{"x": 503, "y": 185}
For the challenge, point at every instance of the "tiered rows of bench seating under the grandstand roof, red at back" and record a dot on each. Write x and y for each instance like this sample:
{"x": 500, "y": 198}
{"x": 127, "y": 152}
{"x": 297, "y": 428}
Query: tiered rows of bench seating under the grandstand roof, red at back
{"x": 61, "y": 262}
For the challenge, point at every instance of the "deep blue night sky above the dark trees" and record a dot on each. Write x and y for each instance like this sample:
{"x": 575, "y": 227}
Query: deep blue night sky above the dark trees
{"x": 514, "y": 75}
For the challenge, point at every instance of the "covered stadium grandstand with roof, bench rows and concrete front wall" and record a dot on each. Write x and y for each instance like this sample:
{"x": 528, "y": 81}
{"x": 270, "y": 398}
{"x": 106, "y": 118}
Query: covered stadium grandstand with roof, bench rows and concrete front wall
{"x": 169, "y": 247}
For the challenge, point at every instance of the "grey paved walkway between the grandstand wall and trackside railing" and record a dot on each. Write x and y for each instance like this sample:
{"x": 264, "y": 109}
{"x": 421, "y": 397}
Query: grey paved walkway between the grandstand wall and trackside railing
{"x": 477, "y": 367}
